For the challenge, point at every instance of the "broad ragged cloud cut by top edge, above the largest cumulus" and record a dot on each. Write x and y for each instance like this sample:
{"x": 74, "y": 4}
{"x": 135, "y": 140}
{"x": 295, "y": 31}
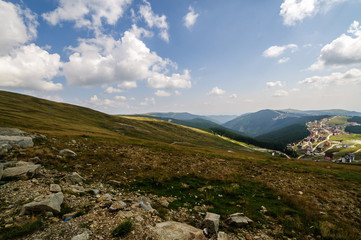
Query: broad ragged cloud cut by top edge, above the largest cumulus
{"x": 85, "y": 13}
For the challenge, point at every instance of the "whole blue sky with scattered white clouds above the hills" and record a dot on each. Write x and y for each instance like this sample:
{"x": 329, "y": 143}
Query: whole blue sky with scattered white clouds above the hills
{"x": 203, "y": 57}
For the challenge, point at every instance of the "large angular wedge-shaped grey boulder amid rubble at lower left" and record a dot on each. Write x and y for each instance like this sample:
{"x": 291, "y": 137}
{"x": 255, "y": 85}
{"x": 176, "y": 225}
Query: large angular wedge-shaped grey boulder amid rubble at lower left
{"x": 51, "y": 203}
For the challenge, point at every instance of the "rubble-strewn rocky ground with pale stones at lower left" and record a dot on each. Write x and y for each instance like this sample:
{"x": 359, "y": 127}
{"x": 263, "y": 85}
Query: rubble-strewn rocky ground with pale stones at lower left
{"x": 64, "y": 205}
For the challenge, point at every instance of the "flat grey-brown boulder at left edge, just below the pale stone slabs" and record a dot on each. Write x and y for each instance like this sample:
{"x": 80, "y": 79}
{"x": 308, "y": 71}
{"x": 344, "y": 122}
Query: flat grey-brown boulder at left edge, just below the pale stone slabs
{"x": 24, "y": 170}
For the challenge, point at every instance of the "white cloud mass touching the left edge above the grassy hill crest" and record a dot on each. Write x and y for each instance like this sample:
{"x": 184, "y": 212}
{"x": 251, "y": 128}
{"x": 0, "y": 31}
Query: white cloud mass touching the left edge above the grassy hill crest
{"x": 24, "y": 66}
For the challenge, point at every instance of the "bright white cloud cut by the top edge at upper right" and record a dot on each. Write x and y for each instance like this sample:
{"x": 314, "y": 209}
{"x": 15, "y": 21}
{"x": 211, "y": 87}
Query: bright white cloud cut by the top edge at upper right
{"x": 294, "y": 11}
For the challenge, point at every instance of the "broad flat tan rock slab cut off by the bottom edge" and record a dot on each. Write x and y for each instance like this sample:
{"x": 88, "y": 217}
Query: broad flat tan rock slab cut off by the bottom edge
{"x": 177, "y": 231}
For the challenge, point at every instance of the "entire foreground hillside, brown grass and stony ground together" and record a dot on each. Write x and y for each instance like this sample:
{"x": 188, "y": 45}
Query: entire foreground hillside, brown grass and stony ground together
{"x": 178, "y": 173}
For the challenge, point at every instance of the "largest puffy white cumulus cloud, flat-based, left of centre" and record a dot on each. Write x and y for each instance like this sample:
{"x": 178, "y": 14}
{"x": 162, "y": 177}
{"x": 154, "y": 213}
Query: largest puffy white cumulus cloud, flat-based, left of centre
{"x": 105, "y": 60}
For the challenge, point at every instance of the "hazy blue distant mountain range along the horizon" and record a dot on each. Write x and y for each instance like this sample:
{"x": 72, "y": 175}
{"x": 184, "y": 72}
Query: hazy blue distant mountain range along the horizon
{"x": 253, "y": 124}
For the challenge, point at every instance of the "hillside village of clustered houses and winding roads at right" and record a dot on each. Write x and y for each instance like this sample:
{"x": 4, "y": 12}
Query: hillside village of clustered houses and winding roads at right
{"x": 319, "y": 144}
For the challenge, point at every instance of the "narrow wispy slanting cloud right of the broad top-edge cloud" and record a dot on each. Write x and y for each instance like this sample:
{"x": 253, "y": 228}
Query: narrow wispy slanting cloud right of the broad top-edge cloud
{"x": 154, "y": 20}
